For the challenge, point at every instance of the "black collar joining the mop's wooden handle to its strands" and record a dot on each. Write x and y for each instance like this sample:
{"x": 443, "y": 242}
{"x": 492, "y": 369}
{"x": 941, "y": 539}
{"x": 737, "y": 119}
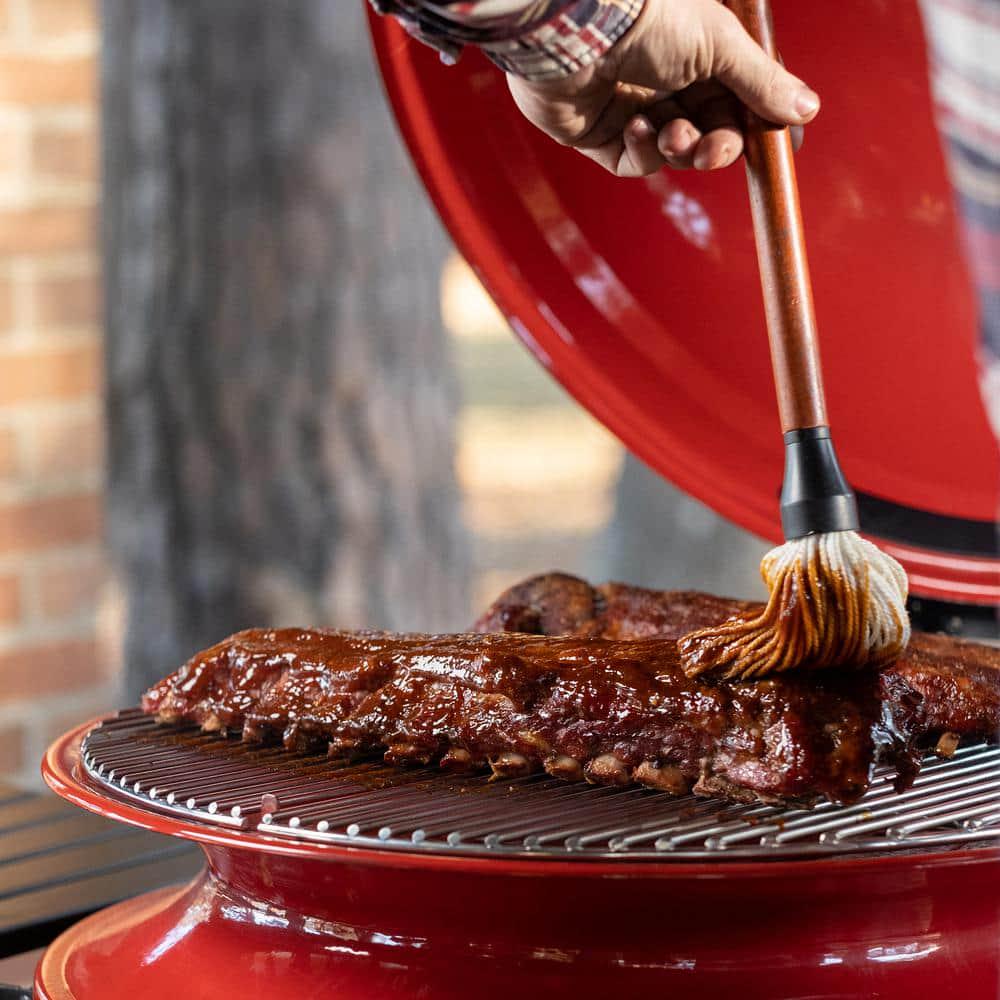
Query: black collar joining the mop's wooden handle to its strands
{"x": 815, "y": 496}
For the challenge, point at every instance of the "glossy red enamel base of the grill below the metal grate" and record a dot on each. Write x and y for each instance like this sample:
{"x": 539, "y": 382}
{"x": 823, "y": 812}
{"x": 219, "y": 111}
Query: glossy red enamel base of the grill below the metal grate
{"x": 280, "y": 921}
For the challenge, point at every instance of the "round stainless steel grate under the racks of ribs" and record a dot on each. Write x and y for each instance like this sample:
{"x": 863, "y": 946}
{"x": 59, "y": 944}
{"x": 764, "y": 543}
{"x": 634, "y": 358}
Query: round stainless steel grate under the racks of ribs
{"x": 221, "y": 781}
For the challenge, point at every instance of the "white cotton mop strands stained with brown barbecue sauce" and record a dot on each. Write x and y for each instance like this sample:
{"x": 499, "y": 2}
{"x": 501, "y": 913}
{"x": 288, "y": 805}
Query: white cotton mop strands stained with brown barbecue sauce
{"x": 835, "y": 599}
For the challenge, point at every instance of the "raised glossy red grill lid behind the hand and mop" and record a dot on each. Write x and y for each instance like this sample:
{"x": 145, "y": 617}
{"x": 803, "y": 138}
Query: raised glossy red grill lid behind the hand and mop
{"x": 642, "y": 297}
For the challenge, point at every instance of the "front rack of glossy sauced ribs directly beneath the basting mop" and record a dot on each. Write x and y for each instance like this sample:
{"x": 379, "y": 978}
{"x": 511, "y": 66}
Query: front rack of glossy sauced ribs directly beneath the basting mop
{"x": 612, "y": 705}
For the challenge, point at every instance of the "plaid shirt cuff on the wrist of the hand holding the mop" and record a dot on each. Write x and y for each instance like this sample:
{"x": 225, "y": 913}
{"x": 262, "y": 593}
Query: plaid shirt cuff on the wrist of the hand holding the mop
{"x": 534, "y": 39}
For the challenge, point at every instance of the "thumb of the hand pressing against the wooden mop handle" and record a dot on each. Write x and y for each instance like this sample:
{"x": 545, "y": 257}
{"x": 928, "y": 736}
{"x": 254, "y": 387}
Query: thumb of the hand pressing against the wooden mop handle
{"x": 759, "y": 81}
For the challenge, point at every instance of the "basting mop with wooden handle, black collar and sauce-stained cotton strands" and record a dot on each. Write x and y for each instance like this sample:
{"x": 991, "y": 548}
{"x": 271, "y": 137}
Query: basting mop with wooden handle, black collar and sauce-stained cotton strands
{"x": 835, "y": 598}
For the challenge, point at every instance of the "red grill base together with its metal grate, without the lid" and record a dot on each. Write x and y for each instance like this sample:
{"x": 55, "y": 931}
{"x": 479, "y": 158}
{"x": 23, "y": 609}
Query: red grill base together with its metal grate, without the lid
{"x": 364, "y": 881}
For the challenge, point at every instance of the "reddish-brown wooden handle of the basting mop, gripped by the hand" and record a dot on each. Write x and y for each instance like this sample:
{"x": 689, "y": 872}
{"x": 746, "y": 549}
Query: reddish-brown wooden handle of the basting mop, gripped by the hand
{"x": 781, "y": 251}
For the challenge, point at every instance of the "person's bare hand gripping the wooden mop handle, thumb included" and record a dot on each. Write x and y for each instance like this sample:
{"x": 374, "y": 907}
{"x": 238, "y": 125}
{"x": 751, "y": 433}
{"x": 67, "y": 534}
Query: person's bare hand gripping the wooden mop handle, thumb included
{"x": 668, "y": 92}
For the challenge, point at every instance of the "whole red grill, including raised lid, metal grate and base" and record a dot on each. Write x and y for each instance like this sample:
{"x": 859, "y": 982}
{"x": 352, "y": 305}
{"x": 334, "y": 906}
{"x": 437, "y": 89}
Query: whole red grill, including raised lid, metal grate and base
{"x": 360, "y": 881}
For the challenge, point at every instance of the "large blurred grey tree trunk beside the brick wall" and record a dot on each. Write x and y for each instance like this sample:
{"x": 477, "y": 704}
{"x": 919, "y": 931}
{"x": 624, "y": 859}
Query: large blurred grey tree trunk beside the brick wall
{"x": 280, "y": 398}
